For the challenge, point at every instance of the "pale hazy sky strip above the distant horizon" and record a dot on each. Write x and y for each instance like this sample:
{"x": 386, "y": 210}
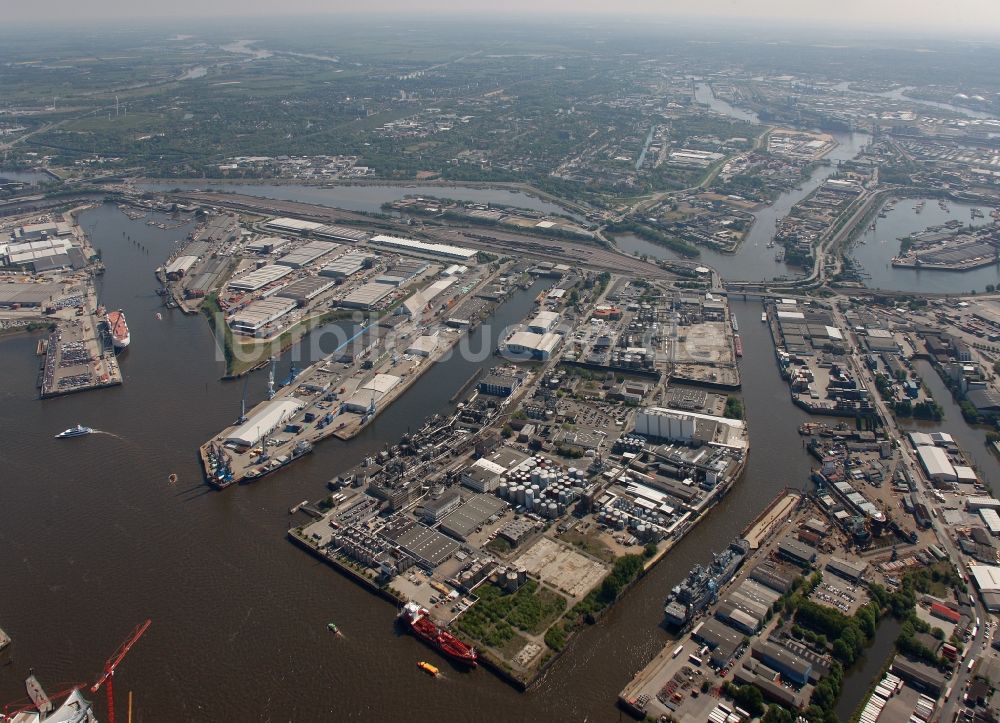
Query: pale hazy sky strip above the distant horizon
{"x": 981, "y": 17}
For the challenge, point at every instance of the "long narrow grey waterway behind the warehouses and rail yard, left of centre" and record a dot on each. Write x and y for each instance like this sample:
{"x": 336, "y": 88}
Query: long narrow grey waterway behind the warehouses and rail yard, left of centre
{"x": 363, "y": 198}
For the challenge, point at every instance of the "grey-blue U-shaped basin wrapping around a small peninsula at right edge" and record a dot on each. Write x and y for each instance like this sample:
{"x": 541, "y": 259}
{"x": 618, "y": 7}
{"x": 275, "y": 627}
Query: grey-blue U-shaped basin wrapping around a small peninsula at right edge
{"x": 876, "y": 247}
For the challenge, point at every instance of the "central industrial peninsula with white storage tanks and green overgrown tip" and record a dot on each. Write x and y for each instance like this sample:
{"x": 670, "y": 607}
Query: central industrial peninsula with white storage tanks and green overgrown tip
{"x": 528, "y": 512}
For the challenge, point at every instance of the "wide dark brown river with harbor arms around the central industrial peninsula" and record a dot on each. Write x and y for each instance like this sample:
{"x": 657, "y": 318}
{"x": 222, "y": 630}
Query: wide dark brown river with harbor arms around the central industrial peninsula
{"x": 94, "y": 539}
